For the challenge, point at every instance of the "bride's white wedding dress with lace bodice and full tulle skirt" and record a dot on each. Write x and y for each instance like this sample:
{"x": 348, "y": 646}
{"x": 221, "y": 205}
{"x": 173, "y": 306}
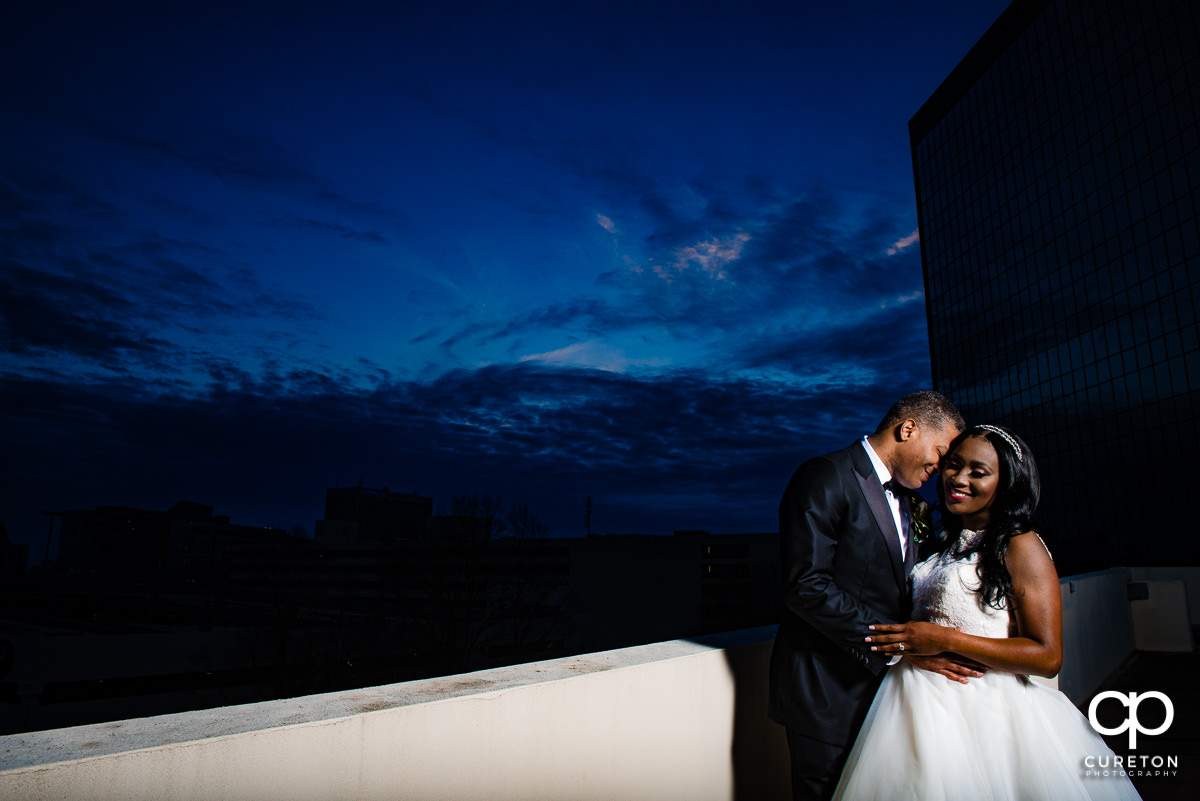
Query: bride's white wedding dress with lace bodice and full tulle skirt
{"x": 999, "y": 738}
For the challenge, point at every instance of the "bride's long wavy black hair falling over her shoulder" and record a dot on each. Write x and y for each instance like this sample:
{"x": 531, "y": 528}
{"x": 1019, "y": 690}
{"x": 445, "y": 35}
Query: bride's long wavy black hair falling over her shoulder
{"x": 1011, "y": 511}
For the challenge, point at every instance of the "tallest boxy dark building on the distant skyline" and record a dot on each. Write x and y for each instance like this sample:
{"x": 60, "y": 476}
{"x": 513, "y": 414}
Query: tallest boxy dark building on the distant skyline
{"x": 356, "y": 515}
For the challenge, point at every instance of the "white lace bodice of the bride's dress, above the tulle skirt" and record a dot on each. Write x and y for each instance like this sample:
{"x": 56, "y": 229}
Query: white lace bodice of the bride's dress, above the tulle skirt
{"x": 946, "y": 592}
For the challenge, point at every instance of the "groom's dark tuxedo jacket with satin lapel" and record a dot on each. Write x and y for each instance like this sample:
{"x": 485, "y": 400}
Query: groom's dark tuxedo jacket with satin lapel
{"x": 843, "y": 570}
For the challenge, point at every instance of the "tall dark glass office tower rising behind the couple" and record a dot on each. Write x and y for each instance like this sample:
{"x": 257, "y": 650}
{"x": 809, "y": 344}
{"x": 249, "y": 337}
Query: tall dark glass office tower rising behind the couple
{"x": 1058, "y": 172}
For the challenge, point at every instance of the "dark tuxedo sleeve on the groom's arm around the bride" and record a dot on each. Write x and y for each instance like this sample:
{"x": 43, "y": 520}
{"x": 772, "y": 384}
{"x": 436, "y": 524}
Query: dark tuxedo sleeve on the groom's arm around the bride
{"x": 825, "y": 577}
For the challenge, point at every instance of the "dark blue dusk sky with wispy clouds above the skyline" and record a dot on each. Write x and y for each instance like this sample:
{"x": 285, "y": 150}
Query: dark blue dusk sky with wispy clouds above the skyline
{"x": 655, "y": 254}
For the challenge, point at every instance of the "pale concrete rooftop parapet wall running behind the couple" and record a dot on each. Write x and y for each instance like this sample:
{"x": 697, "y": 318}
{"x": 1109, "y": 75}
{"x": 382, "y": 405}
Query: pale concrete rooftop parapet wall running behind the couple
{"x": 677, "y": 720}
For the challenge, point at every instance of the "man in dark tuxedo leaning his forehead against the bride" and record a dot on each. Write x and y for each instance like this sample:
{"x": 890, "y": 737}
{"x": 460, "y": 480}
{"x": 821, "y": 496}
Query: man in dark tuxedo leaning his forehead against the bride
{"x": 847, "y": 553}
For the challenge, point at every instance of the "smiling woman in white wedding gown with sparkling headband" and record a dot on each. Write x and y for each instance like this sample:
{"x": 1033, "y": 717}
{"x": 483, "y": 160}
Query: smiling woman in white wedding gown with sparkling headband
{"x": 992, "y": 595}
